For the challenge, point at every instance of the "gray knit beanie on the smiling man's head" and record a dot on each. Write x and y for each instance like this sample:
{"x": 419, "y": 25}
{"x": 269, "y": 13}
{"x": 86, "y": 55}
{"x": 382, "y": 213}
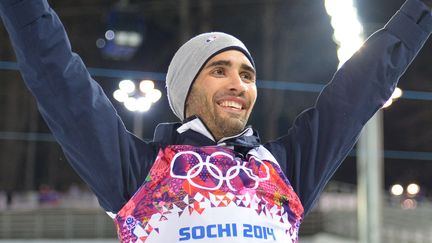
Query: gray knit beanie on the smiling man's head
{"x": 190, "y": 59}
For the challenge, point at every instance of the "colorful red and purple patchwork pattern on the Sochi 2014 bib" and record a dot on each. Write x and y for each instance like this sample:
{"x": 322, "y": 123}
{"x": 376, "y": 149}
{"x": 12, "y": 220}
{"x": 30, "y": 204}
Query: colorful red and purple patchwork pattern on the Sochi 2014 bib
{"x": 190, "y": 180}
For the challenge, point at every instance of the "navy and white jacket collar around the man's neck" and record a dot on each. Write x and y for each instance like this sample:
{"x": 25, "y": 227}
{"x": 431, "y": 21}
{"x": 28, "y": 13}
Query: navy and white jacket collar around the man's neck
{"x": 194, "y": 132}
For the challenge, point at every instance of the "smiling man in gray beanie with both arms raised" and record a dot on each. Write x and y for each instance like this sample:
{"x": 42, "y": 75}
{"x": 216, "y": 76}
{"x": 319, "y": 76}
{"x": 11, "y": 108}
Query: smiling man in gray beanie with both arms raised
{"x": 207, "y": 178}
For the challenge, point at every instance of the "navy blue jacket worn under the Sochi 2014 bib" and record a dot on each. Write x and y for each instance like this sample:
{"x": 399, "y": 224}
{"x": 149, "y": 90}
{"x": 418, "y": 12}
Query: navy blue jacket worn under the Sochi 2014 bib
{"x": 114, "y": 163}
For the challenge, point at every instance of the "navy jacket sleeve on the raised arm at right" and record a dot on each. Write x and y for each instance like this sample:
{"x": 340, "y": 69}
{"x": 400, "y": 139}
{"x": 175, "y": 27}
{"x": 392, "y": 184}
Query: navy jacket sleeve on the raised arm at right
{"x": 321, "y": 137}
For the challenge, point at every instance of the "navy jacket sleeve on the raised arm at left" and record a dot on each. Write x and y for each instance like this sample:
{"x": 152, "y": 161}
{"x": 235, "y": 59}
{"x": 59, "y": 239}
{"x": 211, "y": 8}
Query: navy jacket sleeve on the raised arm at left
{"x": 74, "y": 106}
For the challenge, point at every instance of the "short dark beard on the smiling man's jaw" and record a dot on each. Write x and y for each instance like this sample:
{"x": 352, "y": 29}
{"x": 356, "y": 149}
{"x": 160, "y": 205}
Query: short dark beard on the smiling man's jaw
{"x": 221, "y": 124}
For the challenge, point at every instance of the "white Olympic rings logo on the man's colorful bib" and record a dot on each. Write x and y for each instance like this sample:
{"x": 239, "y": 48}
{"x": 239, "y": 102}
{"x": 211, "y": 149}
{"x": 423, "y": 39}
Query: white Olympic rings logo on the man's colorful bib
{"x": 213, "y": 170}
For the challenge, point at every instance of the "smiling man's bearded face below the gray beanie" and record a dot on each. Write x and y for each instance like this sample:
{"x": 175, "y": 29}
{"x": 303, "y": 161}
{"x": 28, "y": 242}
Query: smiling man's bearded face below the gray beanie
{"x": 224, "y": 94}
